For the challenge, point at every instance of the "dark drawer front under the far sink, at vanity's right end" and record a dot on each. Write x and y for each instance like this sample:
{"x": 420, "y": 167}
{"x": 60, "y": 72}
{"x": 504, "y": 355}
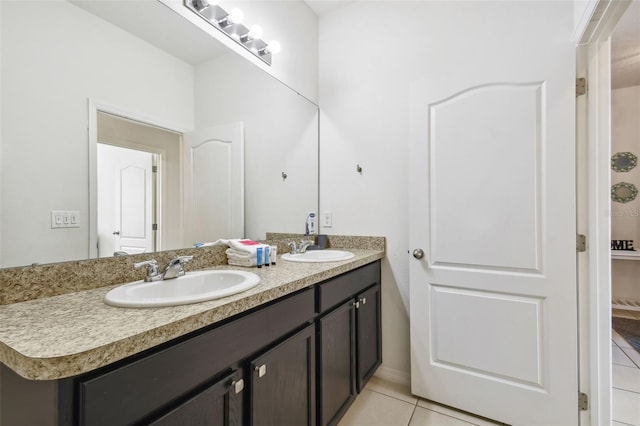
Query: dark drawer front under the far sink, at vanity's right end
{"x": 339, "y": 289}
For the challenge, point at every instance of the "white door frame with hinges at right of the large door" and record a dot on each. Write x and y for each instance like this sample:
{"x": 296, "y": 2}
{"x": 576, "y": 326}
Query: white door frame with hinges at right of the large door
{"x": 593, "y": 151}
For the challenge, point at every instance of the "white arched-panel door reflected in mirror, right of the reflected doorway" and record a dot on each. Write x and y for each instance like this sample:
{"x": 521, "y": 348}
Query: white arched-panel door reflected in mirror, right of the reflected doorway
{"x": 216, "y": 186}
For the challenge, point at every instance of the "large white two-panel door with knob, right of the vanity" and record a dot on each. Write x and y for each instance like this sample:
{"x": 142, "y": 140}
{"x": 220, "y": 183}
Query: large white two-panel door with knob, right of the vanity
{"x": 492, "y": 205}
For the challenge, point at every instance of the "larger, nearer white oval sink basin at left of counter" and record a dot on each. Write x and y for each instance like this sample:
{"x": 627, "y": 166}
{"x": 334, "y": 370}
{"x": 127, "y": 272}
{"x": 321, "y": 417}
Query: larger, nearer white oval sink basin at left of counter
{"x": 193, "y": 287}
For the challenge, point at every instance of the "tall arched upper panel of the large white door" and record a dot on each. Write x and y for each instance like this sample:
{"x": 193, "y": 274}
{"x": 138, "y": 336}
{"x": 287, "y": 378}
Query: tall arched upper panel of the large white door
{"x": 505, "y": 166}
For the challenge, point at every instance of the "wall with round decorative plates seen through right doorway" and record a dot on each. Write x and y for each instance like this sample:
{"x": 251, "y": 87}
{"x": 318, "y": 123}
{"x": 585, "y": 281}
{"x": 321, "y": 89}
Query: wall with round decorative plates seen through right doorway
{"x": 625, "y": 217}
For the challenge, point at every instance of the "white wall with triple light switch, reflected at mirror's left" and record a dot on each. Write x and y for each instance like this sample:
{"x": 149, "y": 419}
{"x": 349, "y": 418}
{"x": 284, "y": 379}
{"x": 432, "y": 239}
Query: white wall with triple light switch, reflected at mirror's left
{"x": 54, "y": 57}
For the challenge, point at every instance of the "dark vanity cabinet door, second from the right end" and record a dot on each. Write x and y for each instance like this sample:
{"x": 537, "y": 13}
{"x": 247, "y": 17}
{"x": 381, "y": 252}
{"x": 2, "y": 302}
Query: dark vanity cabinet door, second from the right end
{"x": 337, "y": 362}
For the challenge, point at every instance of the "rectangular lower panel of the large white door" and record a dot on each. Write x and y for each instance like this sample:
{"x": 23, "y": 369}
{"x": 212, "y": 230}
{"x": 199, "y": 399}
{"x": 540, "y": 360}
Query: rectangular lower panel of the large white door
{"x": 508, "y": 321}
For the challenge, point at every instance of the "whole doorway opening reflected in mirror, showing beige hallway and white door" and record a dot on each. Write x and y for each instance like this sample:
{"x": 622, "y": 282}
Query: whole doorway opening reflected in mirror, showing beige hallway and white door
{"x": 124, "y": 197}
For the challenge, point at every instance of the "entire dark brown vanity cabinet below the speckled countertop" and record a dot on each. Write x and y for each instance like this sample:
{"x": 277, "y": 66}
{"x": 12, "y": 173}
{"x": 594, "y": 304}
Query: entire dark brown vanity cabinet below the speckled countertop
{"x": 298, "y": 360}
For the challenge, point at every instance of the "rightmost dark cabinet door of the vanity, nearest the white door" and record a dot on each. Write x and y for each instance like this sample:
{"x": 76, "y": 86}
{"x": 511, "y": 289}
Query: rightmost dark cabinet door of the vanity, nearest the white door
{"x": 369, "y": 342}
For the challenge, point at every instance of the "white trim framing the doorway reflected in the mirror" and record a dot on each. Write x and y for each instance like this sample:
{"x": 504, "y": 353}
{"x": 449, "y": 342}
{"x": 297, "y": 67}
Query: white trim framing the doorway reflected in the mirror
{"x": 94, "y": 106}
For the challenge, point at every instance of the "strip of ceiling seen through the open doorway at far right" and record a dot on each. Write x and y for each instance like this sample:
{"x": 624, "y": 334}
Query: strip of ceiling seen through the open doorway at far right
{"x": 625, "y": 49}
